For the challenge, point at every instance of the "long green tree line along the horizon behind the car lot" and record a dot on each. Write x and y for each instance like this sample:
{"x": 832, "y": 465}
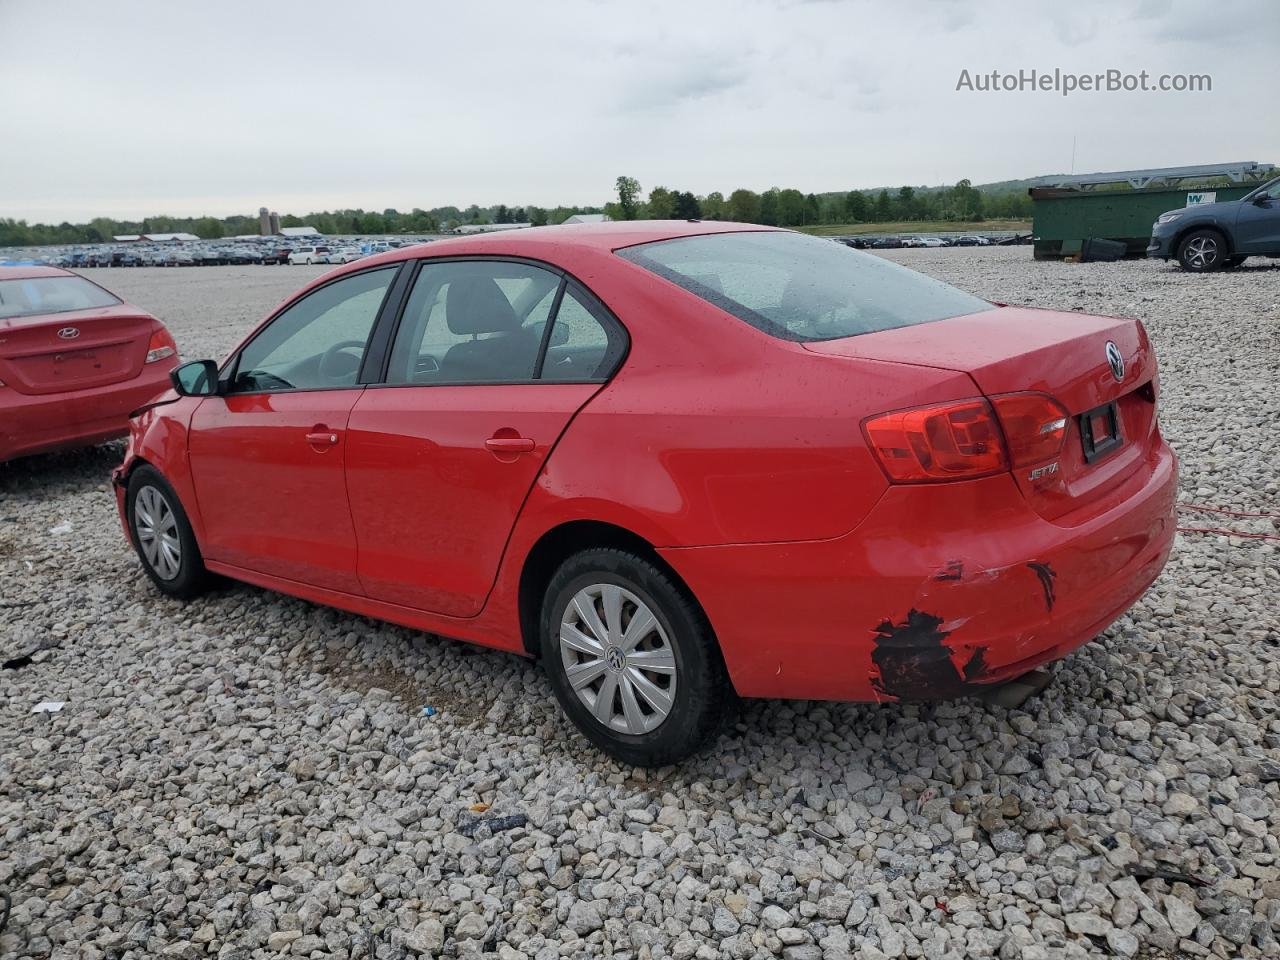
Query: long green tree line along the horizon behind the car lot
{"x": 776, "y": 208}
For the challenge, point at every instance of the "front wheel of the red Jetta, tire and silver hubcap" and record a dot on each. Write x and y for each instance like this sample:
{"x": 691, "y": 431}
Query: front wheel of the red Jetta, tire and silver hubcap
{"x": 163, "y": 537}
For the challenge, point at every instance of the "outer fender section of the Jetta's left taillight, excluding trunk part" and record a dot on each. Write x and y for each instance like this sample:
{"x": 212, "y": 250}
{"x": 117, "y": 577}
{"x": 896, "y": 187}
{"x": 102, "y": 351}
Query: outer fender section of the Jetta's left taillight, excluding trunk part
{"x": 957, "y": 441}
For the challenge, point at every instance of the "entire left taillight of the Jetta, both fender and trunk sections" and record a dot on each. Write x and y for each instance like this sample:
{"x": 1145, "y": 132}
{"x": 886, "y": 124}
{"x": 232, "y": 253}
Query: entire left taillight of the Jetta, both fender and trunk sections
{"x": 967, "y": 440}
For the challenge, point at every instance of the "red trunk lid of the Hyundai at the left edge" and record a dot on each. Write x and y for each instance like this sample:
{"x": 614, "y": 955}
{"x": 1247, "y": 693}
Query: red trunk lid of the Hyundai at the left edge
{"x": 74, "y": 351}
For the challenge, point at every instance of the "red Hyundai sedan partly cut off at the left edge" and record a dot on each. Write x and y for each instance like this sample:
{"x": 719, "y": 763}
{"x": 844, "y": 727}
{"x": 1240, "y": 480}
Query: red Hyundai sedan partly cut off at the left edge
{"x": 75, "y": 362}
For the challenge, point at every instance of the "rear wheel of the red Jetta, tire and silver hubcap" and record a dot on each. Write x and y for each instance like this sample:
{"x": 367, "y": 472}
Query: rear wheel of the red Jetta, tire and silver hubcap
{"x": 633, "y": 660}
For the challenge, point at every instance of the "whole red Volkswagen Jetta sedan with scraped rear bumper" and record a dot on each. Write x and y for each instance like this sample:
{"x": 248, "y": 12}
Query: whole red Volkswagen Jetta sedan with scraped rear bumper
{"x": 680, "y": 463}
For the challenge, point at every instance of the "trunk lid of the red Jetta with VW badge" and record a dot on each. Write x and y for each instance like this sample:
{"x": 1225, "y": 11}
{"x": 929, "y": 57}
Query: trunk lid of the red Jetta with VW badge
{"x": 1064, "y": 355}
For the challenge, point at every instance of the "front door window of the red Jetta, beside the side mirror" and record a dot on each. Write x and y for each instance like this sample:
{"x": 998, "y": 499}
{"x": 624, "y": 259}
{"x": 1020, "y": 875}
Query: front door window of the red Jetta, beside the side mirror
{"x": 319, "y": 342}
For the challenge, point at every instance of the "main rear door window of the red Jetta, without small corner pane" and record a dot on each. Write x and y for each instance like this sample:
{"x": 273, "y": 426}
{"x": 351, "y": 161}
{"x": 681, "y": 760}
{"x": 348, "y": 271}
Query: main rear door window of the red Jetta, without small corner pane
{"x": 473, "y": 322}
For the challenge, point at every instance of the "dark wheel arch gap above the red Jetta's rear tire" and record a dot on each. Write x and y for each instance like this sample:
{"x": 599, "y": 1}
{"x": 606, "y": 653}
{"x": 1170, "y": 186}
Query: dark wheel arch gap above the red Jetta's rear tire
{"x": 563, "y": 542}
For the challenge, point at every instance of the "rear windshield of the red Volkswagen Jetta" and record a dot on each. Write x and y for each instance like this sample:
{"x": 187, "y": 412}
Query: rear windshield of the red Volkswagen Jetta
{"x": 802, "y": 289}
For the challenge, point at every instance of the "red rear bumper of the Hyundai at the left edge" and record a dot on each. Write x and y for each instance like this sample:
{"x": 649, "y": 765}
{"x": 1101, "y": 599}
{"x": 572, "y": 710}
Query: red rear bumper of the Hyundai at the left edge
{"x": 39, "y": 424}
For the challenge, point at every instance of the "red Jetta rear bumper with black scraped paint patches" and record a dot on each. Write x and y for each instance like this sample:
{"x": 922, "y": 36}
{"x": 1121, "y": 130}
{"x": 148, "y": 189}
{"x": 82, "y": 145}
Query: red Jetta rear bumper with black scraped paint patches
{"x": 943, "y": 589}
